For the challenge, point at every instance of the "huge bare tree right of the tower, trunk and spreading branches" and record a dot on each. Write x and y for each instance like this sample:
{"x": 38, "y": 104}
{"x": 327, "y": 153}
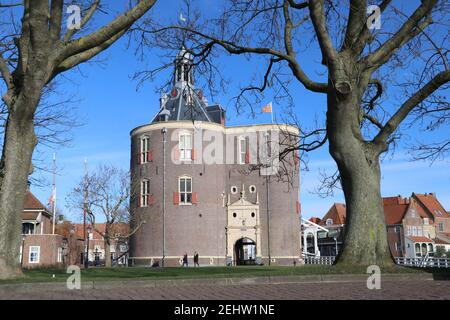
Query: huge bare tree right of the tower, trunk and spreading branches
{"x": 361, "y": 71}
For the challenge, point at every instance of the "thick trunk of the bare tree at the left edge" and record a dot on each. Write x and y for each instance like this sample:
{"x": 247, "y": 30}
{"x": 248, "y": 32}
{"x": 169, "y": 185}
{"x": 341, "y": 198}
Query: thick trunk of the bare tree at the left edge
{"x": 19, "y": 143}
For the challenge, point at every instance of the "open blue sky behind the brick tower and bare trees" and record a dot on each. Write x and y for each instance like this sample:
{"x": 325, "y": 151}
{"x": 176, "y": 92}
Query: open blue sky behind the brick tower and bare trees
{"x": 110, "y": 106}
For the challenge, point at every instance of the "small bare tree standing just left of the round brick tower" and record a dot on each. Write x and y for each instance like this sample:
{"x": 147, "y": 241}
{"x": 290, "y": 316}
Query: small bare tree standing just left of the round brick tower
{"x": 105, "y": 194}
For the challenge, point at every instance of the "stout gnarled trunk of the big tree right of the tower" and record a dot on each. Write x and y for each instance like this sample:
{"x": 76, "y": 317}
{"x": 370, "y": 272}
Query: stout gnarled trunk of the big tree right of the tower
{"x": 359, "y": 167}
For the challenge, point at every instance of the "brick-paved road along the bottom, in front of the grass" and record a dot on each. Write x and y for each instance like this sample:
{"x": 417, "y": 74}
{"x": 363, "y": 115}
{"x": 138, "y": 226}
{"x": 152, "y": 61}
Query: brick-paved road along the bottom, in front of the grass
{"x": 409, "y": 289}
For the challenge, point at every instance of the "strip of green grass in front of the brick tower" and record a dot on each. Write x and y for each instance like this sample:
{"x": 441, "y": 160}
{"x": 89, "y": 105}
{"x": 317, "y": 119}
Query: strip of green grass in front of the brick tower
{"x": 141, "y": 273}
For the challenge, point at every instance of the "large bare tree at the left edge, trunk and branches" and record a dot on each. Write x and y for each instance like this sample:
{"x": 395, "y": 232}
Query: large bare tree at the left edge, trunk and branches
{"x": 33, "y": 52}
